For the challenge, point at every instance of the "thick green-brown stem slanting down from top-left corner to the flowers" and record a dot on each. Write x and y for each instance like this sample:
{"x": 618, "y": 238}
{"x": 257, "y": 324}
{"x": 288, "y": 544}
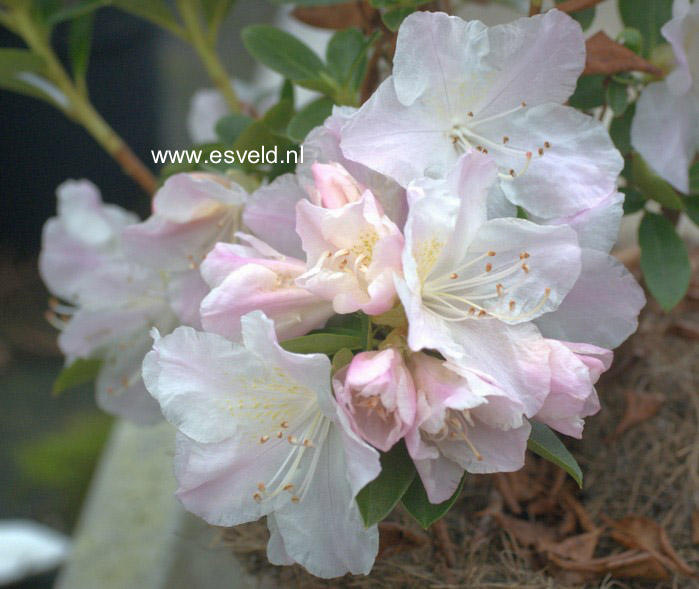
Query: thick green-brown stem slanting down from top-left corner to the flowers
{"x": 79, "y": 107}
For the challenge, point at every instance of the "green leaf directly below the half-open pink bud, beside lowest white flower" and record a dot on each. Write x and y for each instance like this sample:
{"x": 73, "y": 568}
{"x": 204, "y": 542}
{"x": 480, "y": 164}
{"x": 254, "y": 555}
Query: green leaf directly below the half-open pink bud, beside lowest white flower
{"x": 380, "y": 496}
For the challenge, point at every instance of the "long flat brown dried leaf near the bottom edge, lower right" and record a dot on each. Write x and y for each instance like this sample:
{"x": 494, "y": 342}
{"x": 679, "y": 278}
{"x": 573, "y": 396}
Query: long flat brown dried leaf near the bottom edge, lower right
{"x": 628, "y": 564}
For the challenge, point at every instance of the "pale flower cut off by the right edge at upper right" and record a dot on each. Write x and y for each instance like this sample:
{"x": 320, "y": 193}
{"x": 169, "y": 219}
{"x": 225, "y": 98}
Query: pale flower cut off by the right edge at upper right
{"x": 665, "y": 128}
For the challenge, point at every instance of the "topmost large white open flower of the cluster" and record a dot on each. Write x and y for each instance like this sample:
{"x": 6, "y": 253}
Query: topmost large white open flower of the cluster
{"x": 459, "y": 85}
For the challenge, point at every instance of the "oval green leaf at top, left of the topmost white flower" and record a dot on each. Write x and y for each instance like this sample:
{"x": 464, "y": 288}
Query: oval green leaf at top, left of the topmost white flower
{"x": 282, "y": 52}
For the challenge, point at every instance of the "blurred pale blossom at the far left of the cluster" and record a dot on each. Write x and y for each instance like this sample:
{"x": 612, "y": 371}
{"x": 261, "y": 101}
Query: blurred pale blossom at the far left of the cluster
{"x": 112, "y": 301}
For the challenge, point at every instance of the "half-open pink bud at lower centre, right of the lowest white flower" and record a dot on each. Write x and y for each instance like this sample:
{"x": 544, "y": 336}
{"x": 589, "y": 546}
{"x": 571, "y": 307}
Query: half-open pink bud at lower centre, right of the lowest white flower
{"x": 377, "y": 393}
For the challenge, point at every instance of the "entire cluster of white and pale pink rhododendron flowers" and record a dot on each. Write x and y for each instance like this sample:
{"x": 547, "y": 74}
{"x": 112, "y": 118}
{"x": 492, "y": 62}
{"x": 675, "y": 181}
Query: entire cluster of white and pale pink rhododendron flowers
{"x": 387, "y": 296}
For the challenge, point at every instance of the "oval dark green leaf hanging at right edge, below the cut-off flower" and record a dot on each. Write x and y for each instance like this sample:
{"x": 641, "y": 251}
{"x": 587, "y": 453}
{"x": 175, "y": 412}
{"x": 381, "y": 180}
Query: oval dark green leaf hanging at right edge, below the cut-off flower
{"x": 664, "y": 260}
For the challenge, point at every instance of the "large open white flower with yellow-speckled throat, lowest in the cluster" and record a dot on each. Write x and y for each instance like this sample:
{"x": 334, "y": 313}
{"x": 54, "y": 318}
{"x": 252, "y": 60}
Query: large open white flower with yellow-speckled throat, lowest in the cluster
{"x": 261, "y": 434}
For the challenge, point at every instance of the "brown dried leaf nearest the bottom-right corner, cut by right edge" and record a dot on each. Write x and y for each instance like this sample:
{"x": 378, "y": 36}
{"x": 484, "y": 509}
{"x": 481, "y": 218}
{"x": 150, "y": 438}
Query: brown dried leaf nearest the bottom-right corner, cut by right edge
{"x": 635, "y": 531}
